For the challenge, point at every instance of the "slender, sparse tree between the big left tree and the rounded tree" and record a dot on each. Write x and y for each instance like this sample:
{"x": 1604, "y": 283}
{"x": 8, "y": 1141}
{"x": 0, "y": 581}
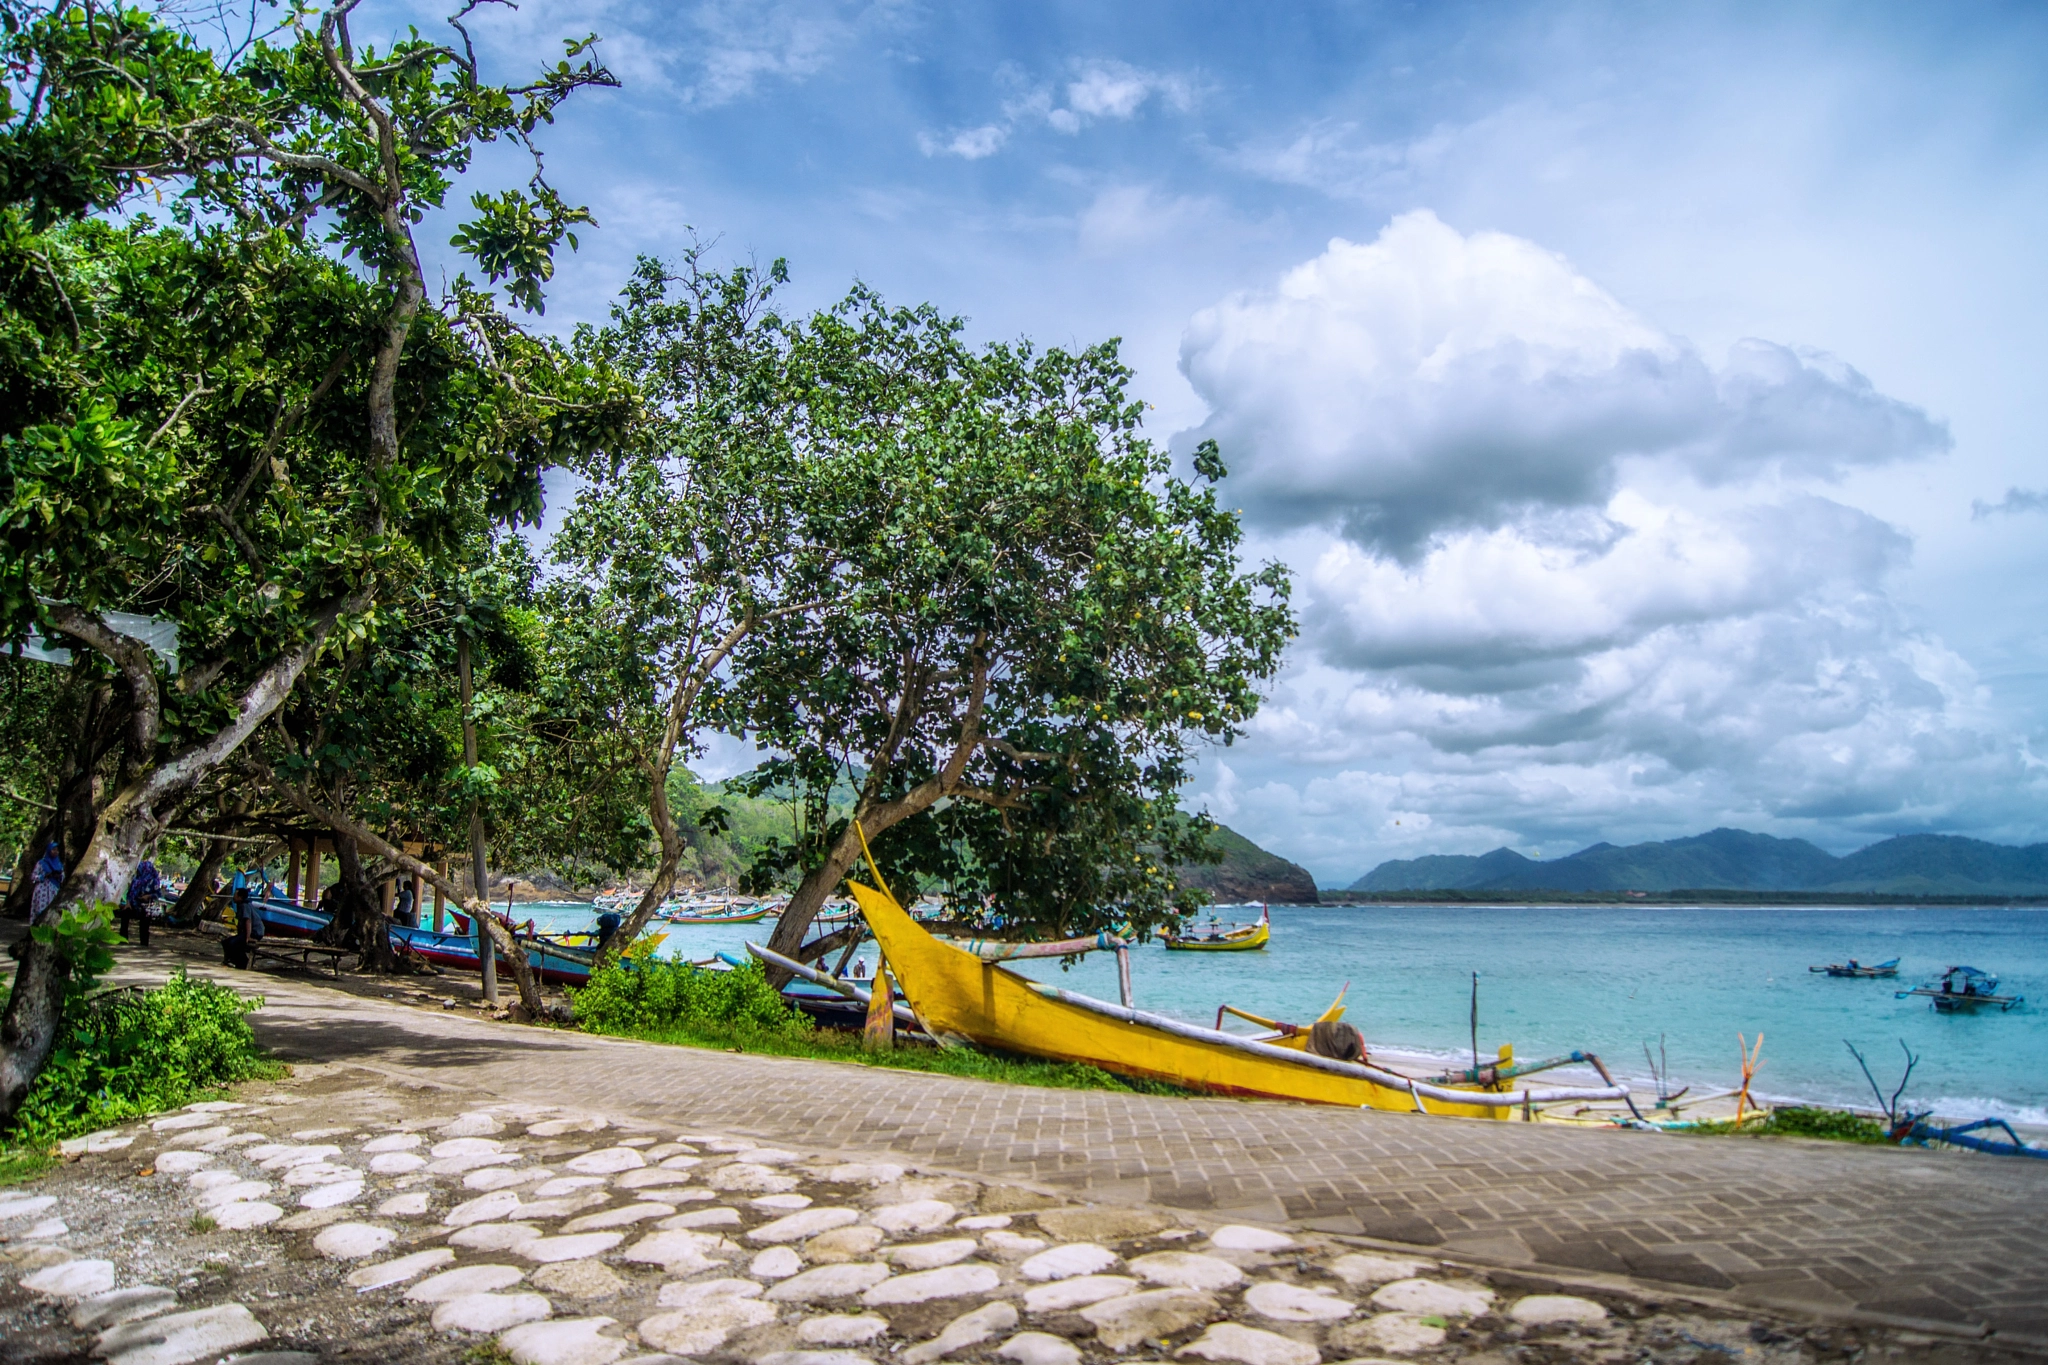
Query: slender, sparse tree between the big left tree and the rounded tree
{"x": 701, "y": 531}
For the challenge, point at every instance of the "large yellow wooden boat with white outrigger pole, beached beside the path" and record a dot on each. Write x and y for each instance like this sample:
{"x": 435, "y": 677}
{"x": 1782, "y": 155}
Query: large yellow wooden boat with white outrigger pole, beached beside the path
{"x": 966, "y": 1000}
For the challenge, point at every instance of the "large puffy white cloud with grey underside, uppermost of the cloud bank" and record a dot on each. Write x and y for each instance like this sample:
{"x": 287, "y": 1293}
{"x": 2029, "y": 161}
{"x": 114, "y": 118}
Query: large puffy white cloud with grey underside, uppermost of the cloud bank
{"x": 1435, "y": 382}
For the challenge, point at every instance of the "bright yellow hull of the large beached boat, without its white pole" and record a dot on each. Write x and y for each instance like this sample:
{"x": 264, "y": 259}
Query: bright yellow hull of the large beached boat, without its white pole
{"x": 959, "y": 998}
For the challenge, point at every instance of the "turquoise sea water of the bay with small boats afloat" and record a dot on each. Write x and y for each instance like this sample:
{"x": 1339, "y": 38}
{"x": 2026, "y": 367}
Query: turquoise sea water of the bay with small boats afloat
{"x": 1611, "y": 979}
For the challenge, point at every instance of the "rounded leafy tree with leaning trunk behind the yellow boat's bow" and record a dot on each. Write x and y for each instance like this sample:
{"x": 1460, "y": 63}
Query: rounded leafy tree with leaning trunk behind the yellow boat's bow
{"x": 1039, "y": 627}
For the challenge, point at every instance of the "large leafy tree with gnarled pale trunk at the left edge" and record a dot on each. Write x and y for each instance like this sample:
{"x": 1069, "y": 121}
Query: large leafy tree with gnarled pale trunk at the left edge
{"x": 253, "y": 421}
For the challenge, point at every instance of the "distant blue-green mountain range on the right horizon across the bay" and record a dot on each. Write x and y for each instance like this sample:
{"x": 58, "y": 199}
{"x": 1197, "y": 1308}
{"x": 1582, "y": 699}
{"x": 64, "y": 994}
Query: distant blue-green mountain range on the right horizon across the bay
{"x": 1740, "y": 861}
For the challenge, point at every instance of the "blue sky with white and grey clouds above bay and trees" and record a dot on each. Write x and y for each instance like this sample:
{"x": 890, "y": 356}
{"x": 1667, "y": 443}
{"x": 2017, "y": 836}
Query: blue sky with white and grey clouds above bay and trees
{"x": 1646, "y": 398}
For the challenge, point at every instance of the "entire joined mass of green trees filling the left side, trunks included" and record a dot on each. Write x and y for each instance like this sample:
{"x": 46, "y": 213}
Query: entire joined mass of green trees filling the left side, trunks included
{"x": 278, "y": 498}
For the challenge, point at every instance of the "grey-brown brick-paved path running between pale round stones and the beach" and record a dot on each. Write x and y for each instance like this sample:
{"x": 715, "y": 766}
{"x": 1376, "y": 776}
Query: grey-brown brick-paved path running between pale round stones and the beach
{"x": 1936, "y": 1237}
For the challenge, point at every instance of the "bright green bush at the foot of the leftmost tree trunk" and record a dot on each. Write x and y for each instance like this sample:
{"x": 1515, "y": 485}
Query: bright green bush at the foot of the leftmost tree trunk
{"x": 126, "y": 1055}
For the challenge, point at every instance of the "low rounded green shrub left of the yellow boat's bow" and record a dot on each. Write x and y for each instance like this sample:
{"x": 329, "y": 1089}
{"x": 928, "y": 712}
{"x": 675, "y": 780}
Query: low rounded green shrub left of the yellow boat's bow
{"x": 646, "y": 996}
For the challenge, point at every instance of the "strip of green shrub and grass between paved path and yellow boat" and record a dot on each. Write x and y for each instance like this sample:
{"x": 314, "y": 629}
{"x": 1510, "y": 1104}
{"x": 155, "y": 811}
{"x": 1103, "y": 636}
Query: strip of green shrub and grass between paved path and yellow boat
{"x": 681, "y": 1006}
